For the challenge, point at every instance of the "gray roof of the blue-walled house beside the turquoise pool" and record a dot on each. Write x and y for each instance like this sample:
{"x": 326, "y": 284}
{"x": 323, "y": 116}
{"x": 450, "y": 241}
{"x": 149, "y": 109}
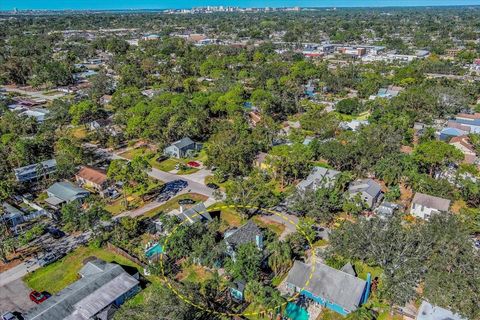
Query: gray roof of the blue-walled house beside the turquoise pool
{"x": 328, "y": 283}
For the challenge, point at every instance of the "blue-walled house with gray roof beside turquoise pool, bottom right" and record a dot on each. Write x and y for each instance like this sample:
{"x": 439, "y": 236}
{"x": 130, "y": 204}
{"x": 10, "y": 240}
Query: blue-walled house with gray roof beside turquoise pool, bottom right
{"x": 337, "y": 290}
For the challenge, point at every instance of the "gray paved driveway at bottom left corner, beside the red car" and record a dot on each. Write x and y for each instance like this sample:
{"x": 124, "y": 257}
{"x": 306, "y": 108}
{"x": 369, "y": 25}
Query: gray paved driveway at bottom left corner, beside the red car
{"x": 14, "y": 297}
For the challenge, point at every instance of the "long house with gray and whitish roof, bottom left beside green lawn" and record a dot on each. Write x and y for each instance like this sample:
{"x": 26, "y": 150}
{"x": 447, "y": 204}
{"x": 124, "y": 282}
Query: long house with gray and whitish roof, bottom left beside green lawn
{"x": 101, "y": 289}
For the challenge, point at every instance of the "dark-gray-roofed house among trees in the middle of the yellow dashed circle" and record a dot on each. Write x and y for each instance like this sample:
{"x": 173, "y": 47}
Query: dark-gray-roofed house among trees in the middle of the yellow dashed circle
{"x": 247, "y": 233}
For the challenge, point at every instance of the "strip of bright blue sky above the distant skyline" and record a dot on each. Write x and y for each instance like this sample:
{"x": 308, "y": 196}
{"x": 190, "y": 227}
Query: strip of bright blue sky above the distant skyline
{"x": 179, "y": 4}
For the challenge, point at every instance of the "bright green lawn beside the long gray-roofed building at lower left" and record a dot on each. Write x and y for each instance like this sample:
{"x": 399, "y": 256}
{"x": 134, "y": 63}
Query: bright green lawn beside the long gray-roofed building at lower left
{"x": 60, "y": 274}
